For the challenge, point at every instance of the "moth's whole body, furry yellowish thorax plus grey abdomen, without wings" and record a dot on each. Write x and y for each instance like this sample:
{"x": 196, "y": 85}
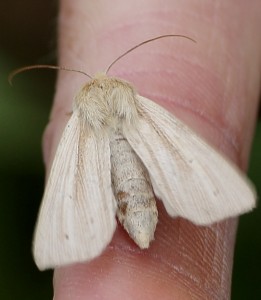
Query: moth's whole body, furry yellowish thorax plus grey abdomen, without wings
{"x": 105, "y": 103}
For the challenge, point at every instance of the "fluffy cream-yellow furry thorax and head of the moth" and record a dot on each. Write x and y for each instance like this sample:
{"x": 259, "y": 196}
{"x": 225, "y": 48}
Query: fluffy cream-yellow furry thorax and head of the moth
{"x": 106, "y": 100}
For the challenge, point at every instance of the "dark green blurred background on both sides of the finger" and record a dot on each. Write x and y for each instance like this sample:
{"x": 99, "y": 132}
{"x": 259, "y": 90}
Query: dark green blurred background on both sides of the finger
{"x": 27, "y": 36}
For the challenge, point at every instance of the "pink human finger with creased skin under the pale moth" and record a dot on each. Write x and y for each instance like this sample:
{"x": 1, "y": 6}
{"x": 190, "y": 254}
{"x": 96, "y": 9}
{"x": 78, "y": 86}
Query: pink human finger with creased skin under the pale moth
{"x": 212, "y": 85}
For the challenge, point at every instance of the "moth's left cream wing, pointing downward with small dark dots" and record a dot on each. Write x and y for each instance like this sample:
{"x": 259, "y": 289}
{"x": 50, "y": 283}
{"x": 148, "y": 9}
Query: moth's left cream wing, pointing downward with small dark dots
{"x": 77, "y": 215}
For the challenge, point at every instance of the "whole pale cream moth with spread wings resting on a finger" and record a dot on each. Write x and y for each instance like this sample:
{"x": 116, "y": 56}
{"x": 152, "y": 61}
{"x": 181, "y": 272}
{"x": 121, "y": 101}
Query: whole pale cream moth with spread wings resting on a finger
{"x": 119, "y": 152}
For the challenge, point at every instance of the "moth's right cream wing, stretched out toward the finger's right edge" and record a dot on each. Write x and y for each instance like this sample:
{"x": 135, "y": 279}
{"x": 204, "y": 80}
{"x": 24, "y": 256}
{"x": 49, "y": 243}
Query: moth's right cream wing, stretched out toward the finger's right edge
{"x": 190, "y": 177}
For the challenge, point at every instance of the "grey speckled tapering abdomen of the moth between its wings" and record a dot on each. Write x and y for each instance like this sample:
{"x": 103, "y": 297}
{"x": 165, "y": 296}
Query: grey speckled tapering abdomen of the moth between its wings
{"x": 137, "y": 210}
